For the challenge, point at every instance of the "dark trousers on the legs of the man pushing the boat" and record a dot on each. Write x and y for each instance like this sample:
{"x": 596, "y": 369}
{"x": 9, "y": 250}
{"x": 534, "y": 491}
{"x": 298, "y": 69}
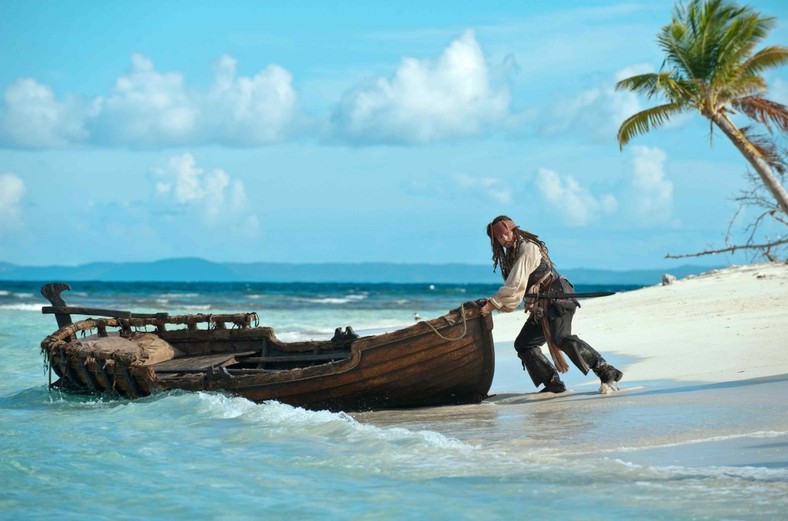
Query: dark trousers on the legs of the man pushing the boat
{"x": 559, "y": 321}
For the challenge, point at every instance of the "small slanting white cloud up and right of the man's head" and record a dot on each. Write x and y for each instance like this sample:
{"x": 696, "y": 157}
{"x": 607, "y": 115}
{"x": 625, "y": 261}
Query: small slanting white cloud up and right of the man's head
{"x": 570, "y": 201}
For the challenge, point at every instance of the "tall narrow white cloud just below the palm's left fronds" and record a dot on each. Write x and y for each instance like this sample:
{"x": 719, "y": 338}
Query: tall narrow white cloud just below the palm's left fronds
{"x": 652, "y": 191}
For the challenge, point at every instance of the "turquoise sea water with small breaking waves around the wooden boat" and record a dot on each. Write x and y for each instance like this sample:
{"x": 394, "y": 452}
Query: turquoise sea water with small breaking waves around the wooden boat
{"x": 211, "y": 456}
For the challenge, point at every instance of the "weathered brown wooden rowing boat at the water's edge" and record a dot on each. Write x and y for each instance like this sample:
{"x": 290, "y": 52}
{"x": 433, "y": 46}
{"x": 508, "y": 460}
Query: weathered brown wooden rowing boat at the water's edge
{"x": 443, "y": 361}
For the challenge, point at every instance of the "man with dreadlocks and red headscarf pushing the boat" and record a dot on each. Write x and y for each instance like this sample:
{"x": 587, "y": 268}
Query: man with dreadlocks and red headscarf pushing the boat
{"x": 528, "y": 272}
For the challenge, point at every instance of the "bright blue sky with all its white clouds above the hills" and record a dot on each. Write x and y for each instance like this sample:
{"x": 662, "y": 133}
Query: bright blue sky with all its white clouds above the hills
{"x": 349, "y": 131}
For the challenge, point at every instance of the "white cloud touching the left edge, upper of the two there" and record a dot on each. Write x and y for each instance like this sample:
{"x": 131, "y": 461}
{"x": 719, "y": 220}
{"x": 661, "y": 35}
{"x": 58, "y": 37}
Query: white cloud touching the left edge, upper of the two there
{"x": 34, "y": 118}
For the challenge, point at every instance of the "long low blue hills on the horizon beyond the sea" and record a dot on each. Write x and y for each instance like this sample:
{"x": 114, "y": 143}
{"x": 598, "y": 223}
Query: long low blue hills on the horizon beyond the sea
{"x": 200, "y": 270}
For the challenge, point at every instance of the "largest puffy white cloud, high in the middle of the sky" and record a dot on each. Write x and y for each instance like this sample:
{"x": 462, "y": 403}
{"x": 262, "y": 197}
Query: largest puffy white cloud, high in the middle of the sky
{"x": 425, "y": 101}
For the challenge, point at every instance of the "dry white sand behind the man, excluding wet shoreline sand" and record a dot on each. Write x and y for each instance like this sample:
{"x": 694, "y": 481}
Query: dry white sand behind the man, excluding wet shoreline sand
{"x": 725, "y": 325}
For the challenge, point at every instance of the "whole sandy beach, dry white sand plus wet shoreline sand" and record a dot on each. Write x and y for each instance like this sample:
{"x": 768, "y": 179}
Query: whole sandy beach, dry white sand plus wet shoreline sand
{"x": 705, "y": 363}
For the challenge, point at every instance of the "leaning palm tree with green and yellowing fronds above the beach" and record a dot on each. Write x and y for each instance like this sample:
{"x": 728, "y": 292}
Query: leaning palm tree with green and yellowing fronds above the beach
{"x": 711, "y": 66}
